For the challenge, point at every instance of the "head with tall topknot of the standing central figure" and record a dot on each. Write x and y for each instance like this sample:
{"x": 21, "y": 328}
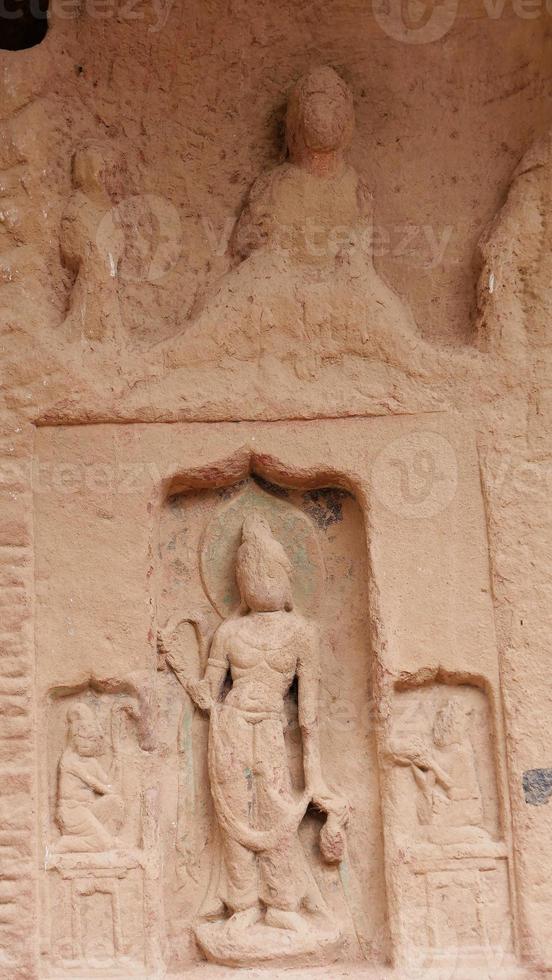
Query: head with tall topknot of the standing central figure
{"x": 263, "y": 570}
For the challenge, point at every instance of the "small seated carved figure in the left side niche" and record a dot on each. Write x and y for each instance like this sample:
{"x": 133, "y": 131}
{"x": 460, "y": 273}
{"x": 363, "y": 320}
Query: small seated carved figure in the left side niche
{"x": 89, "y": 809}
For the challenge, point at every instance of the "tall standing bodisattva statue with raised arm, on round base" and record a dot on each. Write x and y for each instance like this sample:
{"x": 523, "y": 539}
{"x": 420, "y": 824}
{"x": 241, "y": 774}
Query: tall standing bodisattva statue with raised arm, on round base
{"x": 258, "y": 815}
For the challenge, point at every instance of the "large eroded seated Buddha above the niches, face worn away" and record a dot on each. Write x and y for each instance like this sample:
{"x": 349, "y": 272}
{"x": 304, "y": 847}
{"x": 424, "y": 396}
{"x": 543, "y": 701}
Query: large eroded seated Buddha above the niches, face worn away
{"x": 305, "y": 288}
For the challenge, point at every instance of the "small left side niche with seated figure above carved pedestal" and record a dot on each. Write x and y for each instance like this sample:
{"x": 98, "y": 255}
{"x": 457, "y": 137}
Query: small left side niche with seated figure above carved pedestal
{"x": 101, "y": 851}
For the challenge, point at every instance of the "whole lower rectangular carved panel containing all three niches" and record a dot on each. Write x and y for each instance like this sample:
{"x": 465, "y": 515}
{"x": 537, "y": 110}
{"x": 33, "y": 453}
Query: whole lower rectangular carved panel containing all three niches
{"x": 283, "y": 768}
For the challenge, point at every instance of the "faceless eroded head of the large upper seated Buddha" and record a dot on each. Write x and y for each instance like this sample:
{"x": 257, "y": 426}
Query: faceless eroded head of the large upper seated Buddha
{"x": 320, "y": 114}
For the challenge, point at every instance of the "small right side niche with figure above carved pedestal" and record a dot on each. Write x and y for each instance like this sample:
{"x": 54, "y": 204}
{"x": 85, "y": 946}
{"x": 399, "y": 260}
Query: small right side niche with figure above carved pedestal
{"x": 445, "y": 816}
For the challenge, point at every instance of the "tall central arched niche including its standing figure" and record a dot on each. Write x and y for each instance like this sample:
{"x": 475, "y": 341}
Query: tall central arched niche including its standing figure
{"x": 278, "y": 837}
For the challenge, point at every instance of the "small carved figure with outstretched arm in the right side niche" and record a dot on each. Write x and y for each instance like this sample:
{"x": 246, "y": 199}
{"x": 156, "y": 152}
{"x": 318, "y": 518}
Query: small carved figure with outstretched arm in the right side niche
{"x": 445, "y": 774}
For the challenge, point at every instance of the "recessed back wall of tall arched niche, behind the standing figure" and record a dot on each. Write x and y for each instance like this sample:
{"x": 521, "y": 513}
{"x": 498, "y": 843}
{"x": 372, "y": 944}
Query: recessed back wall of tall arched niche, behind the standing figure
{"x": 321, "y": 526}
